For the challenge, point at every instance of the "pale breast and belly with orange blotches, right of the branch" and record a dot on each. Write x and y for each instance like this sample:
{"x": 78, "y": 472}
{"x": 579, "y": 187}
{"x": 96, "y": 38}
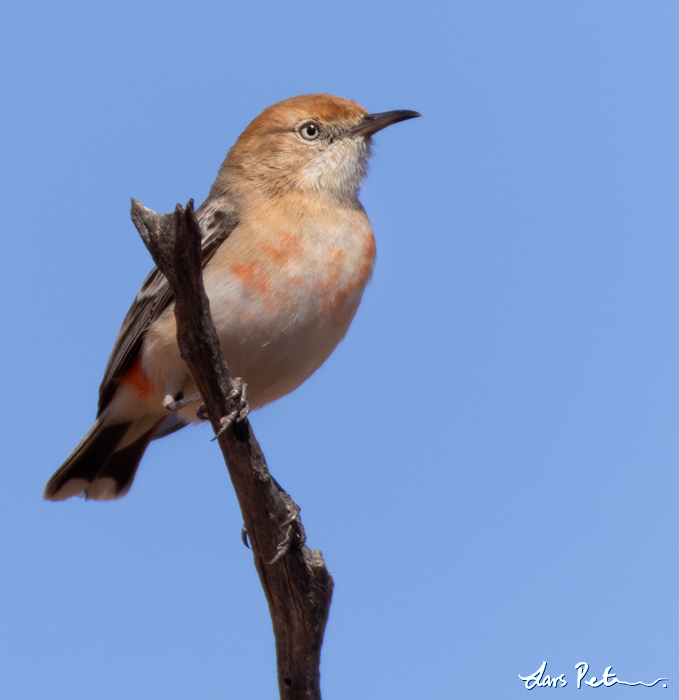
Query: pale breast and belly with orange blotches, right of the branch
{"x": 283, "y": 297}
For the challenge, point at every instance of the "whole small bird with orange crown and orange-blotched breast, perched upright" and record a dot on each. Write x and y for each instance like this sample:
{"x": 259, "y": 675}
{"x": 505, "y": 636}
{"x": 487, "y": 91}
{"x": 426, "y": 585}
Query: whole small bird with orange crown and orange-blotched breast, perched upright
{"x": 287, "y": 252}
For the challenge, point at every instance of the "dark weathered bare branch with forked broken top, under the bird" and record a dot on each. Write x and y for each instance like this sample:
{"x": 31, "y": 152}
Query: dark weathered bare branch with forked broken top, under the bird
{"x": 296, "y": 583}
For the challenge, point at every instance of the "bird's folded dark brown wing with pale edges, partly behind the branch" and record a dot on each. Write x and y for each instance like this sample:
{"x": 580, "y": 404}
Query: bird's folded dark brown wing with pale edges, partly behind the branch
{"x": 216, "y": 222}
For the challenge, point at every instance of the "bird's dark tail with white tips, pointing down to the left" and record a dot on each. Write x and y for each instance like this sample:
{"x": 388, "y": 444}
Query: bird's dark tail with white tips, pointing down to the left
{"x": 103, "y": 465}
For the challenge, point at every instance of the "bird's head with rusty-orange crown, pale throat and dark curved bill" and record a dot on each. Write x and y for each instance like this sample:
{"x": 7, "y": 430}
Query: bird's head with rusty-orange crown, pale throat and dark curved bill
{"x": 316, "y": 143}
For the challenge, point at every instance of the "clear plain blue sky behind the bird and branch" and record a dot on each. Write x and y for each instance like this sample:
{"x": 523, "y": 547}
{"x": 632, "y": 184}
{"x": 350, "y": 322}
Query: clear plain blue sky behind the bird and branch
{"x": 488, "y": 461}
